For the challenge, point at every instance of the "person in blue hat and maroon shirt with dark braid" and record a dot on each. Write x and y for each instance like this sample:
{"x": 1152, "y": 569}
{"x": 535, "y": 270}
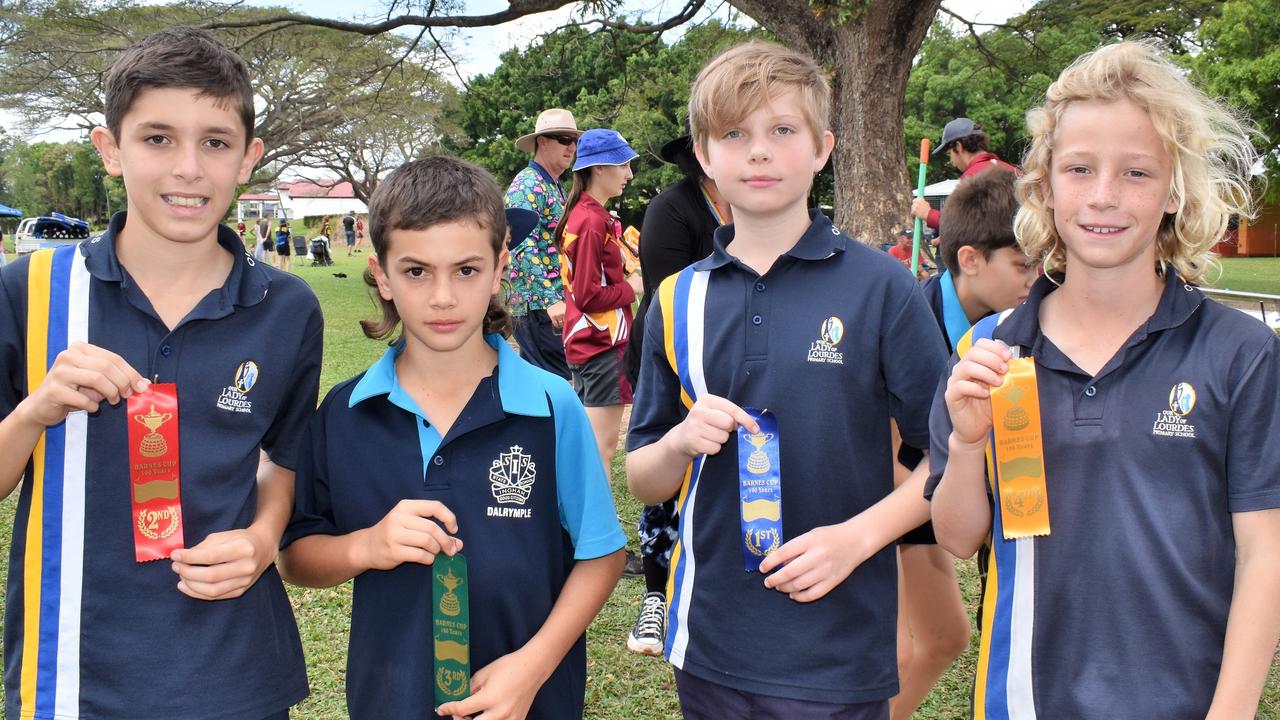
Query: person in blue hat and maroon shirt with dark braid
{"x": 598, "y": 290}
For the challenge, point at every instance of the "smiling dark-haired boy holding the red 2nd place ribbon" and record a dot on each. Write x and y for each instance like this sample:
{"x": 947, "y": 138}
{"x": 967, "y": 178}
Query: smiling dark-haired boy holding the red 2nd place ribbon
{"x": 153, "y": 384}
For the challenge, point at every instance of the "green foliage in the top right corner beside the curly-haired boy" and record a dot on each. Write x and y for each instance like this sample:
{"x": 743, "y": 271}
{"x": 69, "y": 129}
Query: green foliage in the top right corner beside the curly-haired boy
{"x": 1241, "y": 62}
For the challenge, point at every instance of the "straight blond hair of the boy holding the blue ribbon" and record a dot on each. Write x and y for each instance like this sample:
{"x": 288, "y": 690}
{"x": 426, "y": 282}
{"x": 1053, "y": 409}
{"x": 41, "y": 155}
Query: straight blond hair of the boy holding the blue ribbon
{"x": 747, "y": 78}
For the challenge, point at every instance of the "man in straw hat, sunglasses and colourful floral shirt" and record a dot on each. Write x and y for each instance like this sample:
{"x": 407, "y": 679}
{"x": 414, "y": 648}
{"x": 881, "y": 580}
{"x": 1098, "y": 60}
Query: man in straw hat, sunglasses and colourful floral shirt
{"x": 536, "y": 297}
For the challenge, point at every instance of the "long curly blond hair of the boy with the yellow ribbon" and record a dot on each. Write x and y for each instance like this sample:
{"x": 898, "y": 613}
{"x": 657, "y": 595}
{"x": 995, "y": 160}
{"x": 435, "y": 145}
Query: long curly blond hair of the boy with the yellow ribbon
{"x": 1208, "y": 144}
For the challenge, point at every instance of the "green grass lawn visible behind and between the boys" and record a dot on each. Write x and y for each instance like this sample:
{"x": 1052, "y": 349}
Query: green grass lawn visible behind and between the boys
{"x": 621, "y": 685}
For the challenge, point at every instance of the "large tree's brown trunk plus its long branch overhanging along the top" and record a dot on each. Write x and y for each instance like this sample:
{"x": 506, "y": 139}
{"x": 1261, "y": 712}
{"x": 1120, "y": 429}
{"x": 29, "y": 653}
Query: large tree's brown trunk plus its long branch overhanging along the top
{"x": 867, "y": 45}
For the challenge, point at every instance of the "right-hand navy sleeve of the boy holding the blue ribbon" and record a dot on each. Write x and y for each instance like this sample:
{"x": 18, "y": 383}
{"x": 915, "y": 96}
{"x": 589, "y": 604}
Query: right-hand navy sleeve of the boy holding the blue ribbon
{"x": 913, "y": 357}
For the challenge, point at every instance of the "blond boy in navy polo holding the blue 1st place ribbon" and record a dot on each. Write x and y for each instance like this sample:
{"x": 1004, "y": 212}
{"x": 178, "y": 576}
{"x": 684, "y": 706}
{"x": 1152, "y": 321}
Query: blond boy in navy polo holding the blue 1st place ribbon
{"x": 803, "y": 344}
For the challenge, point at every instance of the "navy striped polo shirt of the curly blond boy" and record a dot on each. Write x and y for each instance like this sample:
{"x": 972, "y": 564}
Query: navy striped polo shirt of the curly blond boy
{"x": 1145, "y": 464}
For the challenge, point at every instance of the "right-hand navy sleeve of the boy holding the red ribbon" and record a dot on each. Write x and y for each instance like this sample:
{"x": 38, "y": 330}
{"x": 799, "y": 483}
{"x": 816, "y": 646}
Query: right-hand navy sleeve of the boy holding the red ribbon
{"x": 281, "y": 441}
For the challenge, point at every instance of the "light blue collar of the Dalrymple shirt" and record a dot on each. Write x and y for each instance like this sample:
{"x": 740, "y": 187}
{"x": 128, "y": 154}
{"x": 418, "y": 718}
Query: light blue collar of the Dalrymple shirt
{"x": 519, "y": 384}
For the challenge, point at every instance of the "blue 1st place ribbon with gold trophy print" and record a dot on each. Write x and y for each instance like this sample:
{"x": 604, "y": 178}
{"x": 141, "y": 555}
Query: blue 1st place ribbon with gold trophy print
{"x": 760, "y": 476}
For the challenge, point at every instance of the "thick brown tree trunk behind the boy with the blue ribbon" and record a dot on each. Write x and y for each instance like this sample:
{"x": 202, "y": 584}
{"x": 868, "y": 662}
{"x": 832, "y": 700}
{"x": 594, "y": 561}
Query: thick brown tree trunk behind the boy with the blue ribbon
{"x": 870, "y": 58}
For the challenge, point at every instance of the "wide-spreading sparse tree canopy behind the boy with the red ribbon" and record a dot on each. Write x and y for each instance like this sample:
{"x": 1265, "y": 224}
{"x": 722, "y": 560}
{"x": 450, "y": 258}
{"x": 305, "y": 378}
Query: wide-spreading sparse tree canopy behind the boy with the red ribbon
{"x": 313, "y": 84}
